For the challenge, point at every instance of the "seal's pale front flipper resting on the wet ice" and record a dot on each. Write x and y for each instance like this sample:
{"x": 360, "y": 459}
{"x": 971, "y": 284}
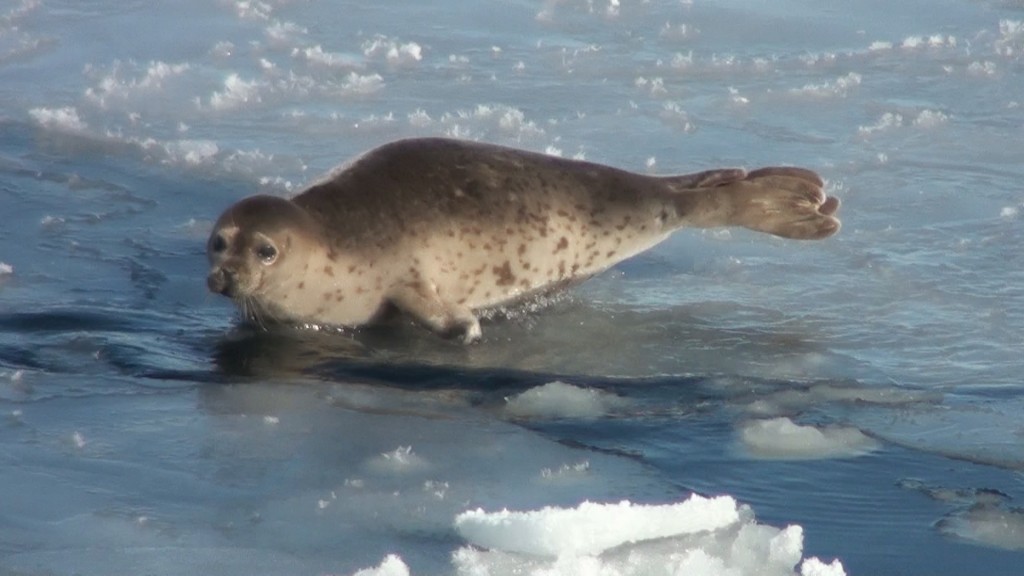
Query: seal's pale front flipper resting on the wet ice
{"x": 421, "y": 301}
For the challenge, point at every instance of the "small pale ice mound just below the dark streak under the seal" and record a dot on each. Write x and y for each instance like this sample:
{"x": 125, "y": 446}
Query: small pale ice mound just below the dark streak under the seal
{"x": 560, "y": 400}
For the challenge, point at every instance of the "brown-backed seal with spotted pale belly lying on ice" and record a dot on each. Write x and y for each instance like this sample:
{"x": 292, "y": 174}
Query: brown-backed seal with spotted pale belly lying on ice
{"x": 443, "y": 230}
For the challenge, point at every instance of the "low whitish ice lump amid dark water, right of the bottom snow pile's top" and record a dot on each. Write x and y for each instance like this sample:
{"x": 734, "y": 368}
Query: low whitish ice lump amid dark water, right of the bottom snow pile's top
{"x": 783, "y": 439}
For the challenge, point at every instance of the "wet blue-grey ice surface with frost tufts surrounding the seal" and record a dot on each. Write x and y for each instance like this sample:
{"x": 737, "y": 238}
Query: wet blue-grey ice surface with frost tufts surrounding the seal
{"x": 858, "y": 399}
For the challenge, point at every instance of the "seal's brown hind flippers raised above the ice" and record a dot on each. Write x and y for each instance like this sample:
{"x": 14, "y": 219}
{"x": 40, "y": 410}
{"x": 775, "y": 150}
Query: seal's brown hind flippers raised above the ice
{"x": 784, "y": 201}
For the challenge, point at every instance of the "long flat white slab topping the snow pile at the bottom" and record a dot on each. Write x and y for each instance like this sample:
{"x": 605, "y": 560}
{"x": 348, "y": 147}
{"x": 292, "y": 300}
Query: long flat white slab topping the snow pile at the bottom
{"x": 592, "y": 528}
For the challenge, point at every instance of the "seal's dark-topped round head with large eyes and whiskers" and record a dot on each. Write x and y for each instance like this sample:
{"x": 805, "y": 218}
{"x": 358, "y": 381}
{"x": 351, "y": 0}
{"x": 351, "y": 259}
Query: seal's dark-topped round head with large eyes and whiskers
{"x": 257, "y": 246}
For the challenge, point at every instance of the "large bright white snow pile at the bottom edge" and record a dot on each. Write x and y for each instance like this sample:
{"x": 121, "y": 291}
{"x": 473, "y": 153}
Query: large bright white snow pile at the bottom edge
{"x": 698, "y": 538}
